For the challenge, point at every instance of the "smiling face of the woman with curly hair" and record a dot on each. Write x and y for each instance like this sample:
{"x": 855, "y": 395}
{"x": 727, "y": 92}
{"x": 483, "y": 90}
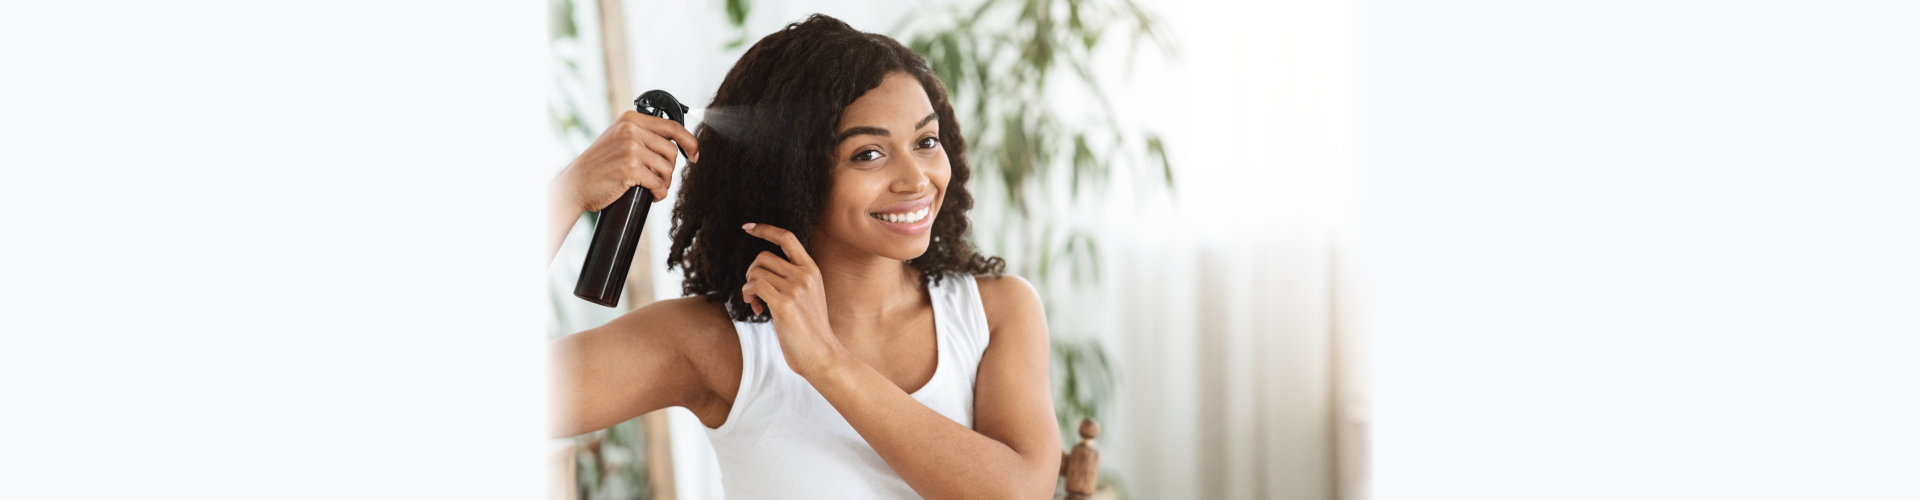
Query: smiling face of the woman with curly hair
{"x": 890, "y": 174}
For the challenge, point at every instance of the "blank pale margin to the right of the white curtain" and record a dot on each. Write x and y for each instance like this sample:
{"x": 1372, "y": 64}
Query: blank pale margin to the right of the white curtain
{"x": 1641, "y": 249}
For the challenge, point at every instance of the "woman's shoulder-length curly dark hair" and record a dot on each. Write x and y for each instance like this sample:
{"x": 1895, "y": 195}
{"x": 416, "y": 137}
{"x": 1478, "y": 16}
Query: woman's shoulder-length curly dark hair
{"x": 767, "y": 155}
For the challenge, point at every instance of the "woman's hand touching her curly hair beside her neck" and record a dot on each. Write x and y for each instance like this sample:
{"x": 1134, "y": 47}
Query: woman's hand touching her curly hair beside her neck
{"x": 794, "y": 293}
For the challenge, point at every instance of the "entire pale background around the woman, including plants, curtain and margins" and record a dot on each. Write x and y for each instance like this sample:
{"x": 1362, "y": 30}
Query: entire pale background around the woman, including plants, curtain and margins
{"x": 1301, "y": 249}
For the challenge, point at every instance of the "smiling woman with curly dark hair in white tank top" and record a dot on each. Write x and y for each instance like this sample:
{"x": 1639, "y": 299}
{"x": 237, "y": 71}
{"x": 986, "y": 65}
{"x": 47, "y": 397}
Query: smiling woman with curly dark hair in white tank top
{"x": 840, "y": 336}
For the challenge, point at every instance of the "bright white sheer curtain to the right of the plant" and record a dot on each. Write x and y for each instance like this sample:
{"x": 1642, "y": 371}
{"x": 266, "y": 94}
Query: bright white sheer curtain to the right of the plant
{"x": 1224, "y": 297}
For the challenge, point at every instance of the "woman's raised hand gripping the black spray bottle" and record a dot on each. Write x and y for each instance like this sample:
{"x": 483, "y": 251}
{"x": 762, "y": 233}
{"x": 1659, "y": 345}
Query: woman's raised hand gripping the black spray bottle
{"x": 636, "y": 151}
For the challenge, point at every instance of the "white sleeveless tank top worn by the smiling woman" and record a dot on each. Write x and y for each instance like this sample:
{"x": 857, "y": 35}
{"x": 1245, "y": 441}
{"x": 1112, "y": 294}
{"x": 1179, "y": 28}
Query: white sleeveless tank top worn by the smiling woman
{"x": 784, "y": 441}
